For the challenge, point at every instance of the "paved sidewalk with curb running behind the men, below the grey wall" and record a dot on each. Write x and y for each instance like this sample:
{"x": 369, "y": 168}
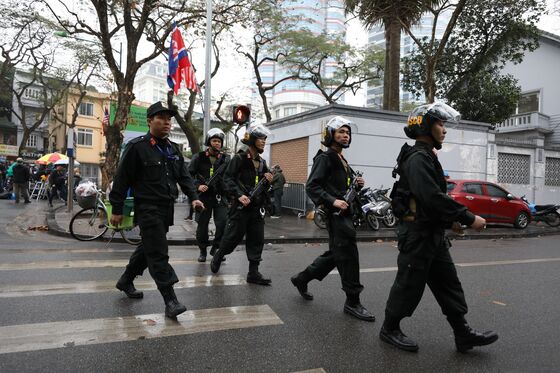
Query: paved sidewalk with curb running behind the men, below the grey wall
{"x": 291, "y": 229}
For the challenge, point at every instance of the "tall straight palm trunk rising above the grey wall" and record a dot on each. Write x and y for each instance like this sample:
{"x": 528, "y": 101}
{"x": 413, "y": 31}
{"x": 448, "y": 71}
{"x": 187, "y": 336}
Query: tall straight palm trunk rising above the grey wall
{"x": 393, "y": 74}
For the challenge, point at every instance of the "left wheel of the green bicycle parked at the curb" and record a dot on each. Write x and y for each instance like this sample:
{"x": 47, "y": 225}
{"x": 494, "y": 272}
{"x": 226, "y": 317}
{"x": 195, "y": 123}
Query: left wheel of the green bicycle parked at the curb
{"x": 89, "y": 224}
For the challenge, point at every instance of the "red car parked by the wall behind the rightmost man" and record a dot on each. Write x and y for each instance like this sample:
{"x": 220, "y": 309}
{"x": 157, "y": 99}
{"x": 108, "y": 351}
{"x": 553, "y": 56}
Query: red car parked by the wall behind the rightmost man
{"x": 491, "y": 201}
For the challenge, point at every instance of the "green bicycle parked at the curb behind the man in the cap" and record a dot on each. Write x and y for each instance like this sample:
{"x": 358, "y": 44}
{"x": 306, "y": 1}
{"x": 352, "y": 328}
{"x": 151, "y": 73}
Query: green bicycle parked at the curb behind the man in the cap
{"x": 92, "y": 222}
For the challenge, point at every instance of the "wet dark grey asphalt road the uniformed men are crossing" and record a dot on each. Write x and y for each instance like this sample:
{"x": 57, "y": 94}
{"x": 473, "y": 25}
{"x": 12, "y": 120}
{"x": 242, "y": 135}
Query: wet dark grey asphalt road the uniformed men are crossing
{"x": 510, "y": 285}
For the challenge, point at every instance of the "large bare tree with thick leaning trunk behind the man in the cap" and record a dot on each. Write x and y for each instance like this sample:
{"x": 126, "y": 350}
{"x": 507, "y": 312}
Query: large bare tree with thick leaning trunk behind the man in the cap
{"x": 134, "y": 21}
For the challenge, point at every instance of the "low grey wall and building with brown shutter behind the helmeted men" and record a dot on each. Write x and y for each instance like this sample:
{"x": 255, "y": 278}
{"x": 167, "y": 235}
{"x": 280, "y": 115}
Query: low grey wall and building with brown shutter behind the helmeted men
{"x": 472, "y": 150}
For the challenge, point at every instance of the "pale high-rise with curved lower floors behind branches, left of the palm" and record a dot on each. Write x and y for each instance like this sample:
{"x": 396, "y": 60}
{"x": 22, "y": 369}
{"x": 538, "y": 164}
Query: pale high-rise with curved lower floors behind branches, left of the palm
{"x": 295, "y": 96}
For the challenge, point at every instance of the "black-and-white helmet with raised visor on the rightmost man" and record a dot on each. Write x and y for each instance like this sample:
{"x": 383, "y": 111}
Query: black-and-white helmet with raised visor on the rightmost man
{"x": 420, "y": 119}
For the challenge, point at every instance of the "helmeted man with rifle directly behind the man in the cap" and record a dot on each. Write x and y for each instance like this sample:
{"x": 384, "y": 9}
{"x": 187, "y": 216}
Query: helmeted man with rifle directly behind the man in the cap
{"x": 202, "y": 168}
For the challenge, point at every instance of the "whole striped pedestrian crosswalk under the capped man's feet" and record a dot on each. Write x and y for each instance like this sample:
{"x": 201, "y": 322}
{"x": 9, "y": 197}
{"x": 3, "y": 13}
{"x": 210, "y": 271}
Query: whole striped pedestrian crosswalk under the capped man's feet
{"x": 30, "y": 262}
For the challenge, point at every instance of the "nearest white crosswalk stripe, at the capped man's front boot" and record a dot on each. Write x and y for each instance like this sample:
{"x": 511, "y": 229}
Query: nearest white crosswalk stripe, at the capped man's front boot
{"x": 42, "y": 336}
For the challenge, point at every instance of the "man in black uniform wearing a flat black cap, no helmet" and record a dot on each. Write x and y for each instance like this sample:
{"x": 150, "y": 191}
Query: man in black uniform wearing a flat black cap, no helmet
{"x": 152, "y": 166}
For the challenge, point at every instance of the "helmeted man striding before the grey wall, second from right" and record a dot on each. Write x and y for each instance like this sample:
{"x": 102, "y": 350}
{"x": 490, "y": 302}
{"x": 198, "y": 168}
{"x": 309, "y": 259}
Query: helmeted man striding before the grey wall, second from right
{"x": 327, "y": 184}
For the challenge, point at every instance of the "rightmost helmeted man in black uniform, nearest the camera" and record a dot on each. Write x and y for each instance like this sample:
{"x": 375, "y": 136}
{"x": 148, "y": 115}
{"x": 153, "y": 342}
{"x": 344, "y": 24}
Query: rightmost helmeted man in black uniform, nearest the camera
{"x": 420, "y": 198}
